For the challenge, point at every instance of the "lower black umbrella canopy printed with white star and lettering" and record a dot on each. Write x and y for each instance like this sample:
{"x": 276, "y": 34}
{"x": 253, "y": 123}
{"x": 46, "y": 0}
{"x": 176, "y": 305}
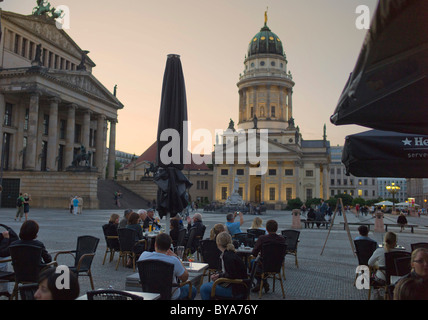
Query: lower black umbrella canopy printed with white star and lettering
{"x": 378, "y": 153}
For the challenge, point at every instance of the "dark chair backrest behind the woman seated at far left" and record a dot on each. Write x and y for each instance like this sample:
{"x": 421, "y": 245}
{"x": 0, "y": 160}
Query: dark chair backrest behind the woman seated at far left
{"x": 26, "y": 262}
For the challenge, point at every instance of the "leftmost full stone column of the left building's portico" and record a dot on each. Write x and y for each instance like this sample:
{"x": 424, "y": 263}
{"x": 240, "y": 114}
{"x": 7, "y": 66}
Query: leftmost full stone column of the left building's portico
{"x": 33, "y": 118}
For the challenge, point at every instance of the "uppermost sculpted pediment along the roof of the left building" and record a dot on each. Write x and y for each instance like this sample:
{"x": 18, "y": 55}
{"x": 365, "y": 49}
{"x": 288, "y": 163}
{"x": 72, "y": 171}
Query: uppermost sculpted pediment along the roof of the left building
{"x": 45, "y": 29}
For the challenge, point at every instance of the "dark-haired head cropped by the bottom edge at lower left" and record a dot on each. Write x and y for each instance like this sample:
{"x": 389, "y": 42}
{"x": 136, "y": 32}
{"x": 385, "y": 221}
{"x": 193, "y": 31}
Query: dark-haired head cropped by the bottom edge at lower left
{"x": 48, "y": 288}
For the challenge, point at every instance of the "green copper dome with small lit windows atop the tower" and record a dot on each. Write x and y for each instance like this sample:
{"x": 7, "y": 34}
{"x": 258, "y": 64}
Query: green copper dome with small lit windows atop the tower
{"x": 265, "y": 42}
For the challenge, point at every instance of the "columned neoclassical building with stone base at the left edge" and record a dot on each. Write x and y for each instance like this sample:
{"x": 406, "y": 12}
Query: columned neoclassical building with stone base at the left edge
{"x": 51, "y": 105}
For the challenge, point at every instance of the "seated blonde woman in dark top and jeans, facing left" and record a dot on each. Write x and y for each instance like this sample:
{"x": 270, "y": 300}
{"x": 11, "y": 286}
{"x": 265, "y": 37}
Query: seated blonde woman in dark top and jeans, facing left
{"x": 233, "y": 268}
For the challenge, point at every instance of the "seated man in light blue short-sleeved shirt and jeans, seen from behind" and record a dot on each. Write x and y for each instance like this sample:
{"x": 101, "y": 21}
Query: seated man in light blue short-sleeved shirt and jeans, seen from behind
{"x": 164, "y": 253}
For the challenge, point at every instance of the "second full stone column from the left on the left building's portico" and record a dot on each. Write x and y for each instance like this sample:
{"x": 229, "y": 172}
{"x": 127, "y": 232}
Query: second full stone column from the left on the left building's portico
{"x": 53, "y": 135}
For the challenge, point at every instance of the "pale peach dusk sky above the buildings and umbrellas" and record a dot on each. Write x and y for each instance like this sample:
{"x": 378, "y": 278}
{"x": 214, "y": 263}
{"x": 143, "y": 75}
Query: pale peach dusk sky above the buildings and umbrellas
{"x": 129, "y": 41}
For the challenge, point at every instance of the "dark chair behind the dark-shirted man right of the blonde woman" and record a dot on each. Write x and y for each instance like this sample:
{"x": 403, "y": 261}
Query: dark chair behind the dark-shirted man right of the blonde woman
{"x": 272, "y": 259}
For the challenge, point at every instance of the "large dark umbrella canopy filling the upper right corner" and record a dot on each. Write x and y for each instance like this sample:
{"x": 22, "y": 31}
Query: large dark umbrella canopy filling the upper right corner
{"x": 387, "y": 89}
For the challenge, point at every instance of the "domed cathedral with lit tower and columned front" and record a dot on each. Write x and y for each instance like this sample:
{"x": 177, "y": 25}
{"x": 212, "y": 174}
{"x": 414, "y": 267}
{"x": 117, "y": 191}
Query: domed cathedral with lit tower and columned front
{"x": 296, "y": 168}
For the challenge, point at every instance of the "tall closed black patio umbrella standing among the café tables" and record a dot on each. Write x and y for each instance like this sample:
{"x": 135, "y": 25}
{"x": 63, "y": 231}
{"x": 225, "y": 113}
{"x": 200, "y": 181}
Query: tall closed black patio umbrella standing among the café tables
{"x": 172, "y": 183}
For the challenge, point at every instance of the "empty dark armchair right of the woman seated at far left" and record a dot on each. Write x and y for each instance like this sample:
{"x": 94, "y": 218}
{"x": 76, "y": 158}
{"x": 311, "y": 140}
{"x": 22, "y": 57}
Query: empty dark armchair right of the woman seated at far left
{"x": 83, "y": 256}
